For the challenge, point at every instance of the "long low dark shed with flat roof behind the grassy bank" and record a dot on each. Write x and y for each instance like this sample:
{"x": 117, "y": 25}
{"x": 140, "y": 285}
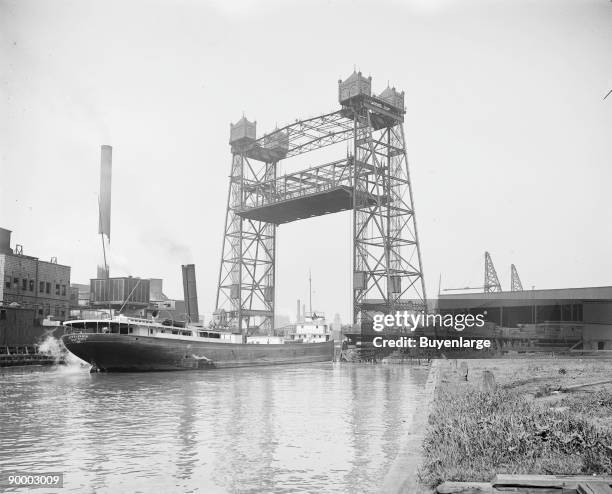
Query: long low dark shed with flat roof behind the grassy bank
{"x": 564, "y": 312}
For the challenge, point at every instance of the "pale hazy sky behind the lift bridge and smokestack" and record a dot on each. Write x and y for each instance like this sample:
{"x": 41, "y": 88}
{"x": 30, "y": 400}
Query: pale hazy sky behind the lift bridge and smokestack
{"x": 508, "y": 135}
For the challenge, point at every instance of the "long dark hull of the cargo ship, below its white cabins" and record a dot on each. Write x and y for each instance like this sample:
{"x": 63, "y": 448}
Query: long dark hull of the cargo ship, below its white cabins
{"x": 128, "y": 353}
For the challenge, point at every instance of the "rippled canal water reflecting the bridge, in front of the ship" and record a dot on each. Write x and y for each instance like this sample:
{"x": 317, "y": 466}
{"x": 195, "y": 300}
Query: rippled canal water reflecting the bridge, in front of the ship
{"x": 310, "y": 428}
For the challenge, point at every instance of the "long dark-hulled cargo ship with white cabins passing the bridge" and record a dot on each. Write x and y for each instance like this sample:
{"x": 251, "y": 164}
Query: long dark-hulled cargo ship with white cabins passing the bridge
{"x": 129, "y": 344}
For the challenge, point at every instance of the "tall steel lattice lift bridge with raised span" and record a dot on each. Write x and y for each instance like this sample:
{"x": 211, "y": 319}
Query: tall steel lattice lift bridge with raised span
{"x": 372, "y": 180}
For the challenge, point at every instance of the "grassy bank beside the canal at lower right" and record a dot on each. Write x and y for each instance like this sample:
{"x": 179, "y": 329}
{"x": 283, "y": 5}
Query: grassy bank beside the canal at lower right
{"x": 522, "y": 427}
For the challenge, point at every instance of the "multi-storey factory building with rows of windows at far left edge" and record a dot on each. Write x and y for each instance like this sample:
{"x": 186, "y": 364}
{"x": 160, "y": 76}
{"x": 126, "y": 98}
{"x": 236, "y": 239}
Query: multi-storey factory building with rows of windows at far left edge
{"x": 30, "y": 283}
